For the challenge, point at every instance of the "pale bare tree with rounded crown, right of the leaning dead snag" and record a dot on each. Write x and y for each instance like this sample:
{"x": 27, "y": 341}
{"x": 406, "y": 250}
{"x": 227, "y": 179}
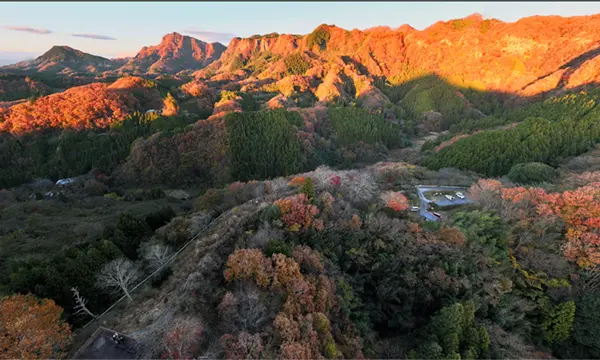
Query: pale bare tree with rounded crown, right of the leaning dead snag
{"x": 119, "y": 275}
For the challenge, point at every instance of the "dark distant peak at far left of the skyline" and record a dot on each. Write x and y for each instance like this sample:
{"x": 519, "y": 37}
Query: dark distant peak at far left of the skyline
{"x": 63, "y": 60}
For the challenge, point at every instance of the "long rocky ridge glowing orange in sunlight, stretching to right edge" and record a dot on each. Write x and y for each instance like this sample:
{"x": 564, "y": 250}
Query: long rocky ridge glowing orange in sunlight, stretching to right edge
{"x": 527, "y": 57}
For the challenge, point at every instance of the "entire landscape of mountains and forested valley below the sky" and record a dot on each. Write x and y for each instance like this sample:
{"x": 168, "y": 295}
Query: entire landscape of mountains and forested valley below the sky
{"x": 378, "y": 193}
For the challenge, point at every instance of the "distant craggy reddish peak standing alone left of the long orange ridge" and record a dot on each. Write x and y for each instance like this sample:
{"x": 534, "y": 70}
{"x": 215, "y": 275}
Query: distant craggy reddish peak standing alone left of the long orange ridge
{"x": 175, "y": 53}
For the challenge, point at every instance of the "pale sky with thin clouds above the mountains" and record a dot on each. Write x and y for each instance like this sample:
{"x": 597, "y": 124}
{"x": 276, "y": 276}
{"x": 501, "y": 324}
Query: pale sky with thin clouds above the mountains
{"x": 119, "y": 29}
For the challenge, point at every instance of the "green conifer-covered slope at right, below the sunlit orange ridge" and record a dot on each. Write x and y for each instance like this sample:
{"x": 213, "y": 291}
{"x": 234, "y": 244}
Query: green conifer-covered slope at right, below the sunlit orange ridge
{"x": 548, "y": 132}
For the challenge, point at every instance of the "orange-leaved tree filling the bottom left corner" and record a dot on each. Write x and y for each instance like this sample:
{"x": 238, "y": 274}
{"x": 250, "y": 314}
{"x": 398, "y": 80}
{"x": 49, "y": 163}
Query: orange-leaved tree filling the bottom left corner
{"x": 32, "y": 328}
